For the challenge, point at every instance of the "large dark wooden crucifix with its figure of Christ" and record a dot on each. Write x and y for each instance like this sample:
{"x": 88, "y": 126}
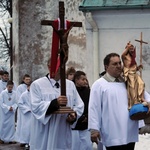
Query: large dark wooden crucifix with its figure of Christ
{"x": 62, "y": 34}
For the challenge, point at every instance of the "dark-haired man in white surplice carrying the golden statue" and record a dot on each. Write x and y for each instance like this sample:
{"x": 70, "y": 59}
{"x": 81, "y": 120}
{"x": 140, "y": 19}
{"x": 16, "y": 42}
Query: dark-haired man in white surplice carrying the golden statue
{"x": 108, "y": 109}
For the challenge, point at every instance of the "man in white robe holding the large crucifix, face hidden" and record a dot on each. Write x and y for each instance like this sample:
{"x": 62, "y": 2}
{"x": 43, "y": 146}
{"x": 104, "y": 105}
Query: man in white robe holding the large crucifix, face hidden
{"x": 53, "y": 131}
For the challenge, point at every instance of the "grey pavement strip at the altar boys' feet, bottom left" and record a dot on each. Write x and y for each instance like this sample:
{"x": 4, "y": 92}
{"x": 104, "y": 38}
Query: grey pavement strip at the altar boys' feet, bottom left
{"x": 11, "y": 147}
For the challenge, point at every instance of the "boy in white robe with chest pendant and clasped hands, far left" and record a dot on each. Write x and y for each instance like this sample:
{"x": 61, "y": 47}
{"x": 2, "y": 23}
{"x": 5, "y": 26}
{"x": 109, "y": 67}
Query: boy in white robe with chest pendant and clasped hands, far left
{"x": 9, "y": 106}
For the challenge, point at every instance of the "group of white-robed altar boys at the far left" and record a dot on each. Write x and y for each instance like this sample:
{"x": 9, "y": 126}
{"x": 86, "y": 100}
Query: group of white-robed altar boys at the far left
{"x": 13, "y": 105}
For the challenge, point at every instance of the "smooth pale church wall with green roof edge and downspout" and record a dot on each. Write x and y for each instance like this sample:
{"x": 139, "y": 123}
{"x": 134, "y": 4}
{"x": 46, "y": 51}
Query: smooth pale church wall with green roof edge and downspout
{"x": 110, "y": 25}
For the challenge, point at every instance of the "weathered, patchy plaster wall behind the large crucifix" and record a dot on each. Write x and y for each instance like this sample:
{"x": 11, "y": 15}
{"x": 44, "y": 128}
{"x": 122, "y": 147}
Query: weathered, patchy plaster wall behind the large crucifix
{"x": 32, "y": 41}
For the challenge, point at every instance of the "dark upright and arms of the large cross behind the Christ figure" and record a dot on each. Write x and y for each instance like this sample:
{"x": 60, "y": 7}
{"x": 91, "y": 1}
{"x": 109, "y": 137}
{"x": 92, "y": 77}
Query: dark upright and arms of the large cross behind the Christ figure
{"x": 62, "y": 42}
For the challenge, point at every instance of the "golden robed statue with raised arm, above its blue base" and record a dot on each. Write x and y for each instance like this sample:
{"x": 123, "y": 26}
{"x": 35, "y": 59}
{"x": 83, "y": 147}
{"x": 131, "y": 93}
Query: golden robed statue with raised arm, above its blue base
{"x": 134, "y": 83}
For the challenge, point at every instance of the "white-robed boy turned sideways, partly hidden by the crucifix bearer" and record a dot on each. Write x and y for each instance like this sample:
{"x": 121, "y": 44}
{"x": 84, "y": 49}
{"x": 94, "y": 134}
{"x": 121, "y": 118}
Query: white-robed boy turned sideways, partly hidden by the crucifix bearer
{"x": 25, "y": 108}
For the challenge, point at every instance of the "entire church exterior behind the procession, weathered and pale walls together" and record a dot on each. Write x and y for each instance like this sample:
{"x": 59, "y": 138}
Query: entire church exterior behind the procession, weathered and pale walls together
{"x": 107, "y": 27}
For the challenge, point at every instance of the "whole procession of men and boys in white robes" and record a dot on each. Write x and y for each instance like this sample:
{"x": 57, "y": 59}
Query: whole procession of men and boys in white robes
{"x": 100, "y": 112}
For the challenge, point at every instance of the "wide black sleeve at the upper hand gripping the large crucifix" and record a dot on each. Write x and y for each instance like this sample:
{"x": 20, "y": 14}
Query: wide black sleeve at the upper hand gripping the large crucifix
{"x": 52, "y": 107}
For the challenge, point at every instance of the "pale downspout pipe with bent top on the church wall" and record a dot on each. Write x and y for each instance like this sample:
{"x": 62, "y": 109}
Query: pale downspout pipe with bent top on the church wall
{"x": 95, "y": 31}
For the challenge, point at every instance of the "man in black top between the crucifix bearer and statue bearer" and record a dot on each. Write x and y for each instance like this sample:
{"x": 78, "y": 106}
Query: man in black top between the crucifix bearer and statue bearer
{"x": 81, "y": 136}
